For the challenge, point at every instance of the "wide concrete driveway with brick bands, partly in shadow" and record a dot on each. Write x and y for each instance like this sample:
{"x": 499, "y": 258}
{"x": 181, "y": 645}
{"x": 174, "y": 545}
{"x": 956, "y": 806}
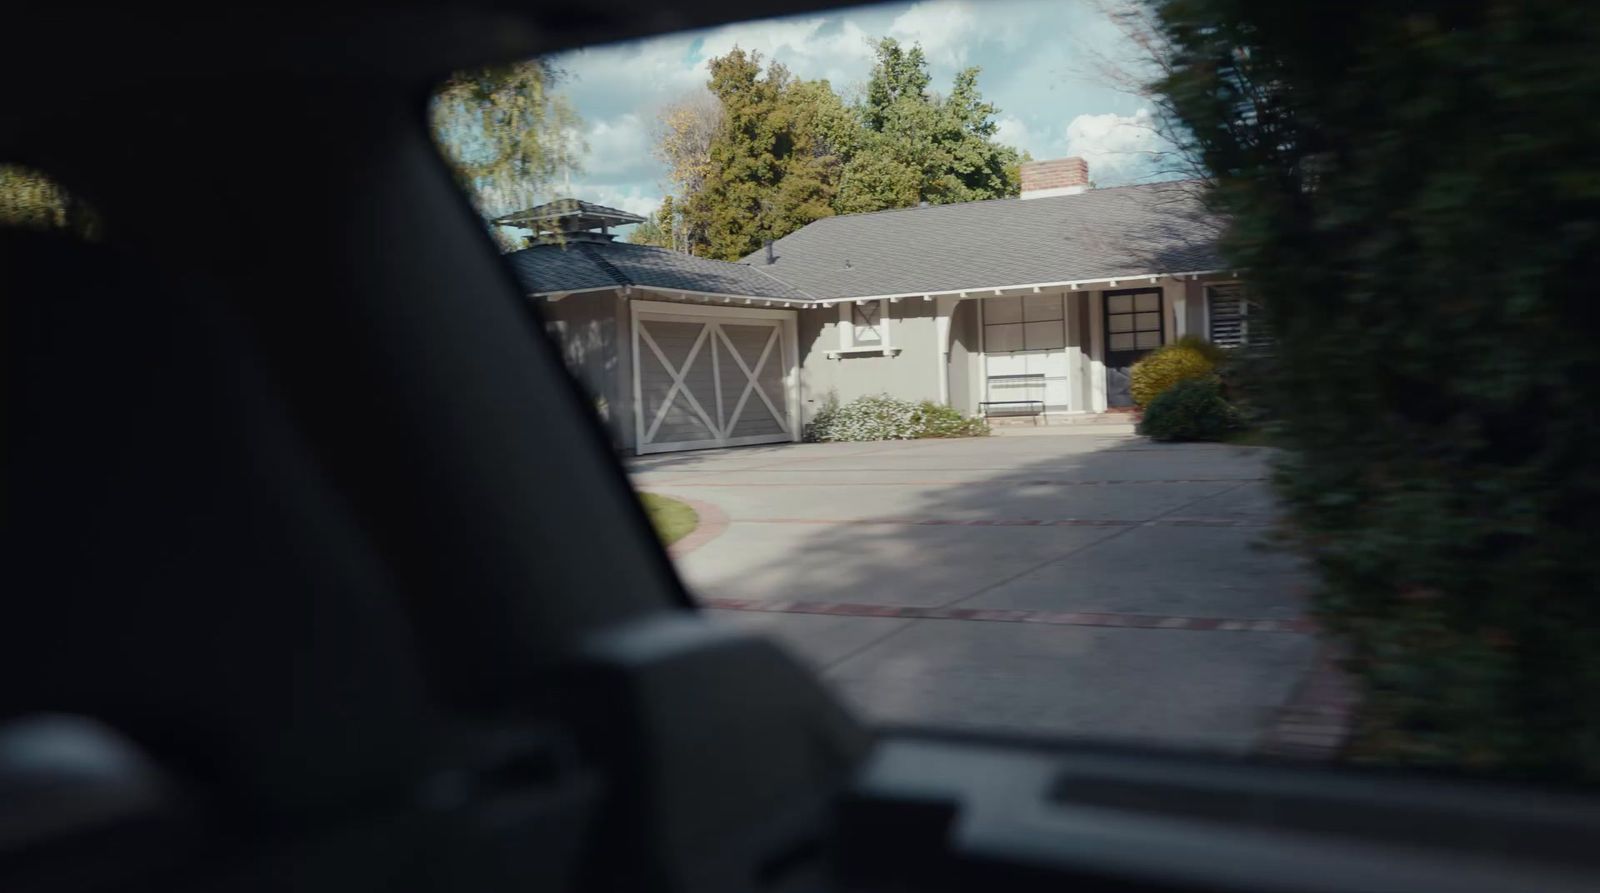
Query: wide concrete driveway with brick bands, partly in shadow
{"x": 1068, "y": 582}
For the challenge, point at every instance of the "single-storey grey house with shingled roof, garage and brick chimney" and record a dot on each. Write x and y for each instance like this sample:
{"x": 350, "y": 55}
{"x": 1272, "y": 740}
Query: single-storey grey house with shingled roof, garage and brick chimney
{"x": 1049, "y": 298}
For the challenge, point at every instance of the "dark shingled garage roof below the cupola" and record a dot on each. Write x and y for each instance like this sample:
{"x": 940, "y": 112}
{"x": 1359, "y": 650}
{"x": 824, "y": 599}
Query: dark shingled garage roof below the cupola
{"x": 606, "y": 265}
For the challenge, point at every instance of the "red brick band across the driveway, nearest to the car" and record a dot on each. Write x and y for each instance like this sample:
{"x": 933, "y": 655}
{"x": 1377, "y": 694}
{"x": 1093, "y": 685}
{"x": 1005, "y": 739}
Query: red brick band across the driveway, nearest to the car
{"x": 986, "y": 615}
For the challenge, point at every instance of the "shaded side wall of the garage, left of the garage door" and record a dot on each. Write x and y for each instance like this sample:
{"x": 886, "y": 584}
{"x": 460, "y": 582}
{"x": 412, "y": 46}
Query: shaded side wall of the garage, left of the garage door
{"x": 593, "y": 335}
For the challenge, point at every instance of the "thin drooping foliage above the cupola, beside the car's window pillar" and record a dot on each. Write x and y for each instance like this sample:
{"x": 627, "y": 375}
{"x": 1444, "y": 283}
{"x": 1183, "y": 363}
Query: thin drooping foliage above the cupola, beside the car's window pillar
{"x": 506, "y": 135}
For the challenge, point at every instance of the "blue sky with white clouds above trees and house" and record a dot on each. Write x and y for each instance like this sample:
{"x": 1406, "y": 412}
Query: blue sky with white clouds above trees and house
{"x": 1039, "y": 63}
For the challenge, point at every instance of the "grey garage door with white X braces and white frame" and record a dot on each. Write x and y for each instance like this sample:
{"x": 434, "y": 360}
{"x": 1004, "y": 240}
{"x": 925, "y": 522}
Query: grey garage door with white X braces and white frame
{"x": 713, "y": 377}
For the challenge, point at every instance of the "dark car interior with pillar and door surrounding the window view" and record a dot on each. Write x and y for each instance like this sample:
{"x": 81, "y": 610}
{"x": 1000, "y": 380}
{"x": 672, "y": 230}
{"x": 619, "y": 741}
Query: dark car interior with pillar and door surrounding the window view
{"x": 322, "y": 577}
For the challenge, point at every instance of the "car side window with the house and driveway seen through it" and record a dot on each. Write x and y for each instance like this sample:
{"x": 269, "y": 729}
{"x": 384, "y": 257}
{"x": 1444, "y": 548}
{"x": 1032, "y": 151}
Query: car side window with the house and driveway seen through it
{"x": 1073, "y": 370}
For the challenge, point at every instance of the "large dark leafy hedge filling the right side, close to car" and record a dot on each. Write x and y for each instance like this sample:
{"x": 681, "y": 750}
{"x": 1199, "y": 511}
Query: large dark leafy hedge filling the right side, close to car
{"x": 1412, "y": 191}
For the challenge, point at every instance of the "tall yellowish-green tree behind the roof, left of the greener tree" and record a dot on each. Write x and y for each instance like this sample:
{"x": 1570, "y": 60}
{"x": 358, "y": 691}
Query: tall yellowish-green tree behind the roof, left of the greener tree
{"x": 770, "y": 167}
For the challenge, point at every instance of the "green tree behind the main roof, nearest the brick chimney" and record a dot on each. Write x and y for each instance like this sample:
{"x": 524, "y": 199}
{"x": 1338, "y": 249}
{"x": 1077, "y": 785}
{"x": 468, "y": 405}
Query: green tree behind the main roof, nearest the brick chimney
{"x": 918, "y": 148}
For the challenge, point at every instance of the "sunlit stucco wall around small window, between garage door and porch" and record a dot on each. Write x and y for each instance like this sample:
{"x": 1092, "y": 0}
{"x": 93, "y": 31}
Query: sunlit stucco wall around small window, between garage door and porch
{"x": 913, "y": 374}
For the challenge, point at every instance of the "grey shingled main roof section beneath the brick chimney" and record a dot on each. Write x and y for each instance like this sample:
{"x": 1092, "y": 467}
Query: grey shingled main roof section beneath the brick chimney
{"x": 1100, "y": 234}
